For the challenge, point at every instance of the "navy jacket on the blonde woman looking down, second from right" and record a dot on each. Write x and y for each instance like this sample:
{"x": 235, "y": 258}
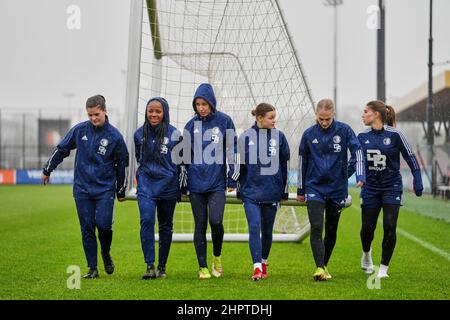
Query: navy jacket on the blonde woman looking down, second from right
{"x": 323, "y": 163}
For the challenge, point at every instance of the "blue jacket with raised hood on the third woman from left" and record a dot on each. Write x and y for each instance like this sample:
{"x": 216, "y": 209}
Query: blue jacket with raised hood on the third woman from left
{"x": 210, "y": 175}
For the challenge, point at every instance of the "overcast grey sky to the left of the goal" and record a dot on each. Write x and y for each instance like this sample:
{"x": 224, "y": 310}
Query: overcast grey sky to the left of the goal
{"x": 42, "y": 60}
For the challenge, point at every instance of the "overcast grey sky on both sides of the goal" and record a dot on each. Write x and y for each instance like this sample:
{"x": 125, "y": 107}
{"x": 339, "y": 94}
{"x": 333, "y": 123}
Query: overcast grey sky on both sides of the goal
{"x": 43, "y": 63}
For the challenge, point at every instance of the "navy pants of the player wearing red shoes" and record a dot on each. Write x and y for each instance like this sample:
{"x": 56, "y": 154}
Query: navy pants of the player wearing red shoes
{"x": 260, "y": 218}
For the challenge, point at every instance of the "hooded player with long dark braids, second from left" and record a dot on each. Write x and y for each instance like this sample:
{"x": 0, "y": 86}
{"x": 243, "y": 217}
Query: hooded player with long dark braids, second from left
{"x": 158, "y": 186}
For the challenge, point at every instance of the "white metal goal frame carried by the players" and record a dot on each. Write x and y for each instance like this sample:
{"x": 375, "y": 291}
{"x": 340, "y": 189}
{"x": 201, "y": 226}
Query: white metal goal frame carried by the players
{"x": 132, "y": 102}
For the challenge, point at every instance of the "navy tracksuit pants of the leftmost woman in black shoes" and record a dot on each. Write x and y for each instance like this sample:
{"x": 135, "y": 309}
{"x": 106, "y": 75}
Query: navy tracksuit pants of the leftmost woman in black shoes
{"x": 95, "y": 213}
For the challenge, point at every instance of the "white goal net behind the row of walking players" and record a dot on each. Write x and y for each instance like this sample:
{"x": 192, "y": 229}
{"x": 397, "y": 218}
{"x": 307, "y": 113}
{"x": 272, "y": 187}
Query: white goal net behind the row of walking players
{"x": 244, "y": 50}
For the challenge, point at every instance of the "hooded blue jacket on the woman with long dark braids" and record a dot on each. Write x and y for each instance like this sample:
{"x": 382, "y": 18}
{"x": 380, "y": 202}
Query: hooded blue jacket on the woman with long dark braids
{"x": 157, "y": 175}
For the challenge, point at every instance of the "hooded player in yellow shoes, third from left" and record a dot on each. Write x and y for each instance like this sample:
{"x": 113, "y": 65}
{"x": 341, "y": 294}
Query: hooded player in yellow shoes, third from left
{"x": 213, "y": 143}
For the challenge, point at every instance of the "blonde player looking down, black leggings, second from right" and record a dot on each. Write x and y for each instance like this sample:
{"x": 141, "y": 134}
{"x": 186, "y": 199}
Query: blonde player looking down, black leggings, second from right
{"x": 323, "y": 179}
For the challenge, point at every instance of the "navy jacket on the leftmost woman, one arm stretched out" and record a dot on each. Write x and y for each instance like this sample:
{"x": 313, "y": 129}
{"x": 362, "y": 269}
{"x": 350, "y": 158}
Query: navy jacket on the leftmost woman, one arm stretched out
{"x": 100, "y": 160}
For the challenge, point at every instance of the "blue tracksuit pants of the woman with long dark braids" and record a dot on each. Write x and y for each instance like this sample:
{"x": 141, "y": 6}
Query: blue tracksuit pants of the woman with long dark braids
{"x": 148, "y": 209}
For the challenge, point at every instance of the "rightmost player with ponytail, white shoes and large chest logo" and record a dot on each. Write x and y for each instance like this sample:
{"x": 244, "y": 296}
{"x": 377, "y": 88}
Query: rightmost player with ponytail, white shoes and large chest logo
{"x": 382, "y": 145}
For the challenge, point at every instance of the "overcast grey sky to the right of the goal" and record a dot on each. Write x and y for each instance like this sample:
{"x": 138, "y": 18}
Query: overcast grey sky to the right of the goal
{"x": 407, "y": 23}
